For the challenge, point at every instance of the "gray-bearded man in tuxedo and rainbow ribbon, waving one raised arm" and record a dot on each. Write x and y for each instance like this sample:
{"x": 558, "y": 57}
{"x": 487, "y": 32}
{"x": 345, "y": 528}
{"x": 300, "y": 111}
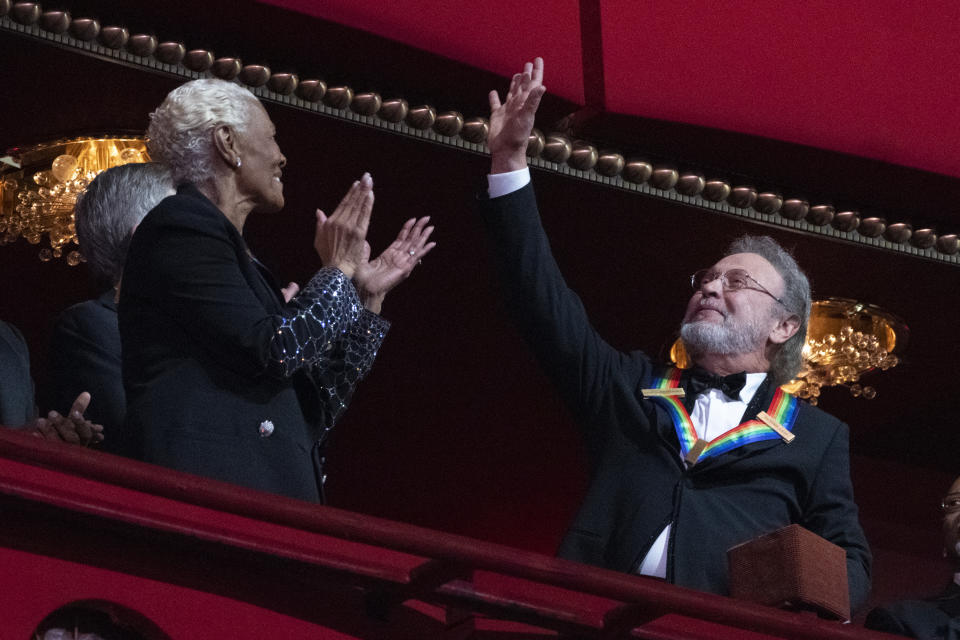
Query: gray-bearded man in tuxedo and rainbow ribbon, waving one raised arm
{"x": 685, "y": 463}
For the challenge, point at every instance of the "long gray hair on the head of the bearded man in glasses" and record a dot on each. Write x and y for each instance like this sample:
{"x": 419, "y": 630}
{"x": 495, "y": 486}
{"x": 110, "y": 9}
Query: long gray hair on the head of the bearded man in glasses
{"x": 796, "y": 297}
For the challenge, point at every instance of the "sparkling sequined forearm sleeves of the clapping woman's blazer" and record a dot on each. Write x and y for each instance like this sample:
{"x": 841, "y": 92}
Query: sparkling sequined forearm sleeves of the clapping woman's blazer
{"x": 326, "y": 327}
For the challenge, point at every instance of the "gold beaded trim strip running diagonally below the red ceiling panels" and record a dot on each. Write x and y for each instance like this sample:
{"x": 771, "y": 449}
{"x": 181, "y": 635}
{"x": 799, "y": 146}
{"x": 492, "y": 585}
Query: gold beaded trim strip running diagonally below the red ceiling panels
{"x": 608, "y": 169}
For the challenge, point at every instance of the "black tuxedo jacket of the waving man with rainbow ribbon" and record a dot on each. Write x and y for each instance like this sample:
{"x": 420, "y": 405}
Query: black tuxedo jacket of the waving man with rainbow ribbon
{"x": 639, "y": 483}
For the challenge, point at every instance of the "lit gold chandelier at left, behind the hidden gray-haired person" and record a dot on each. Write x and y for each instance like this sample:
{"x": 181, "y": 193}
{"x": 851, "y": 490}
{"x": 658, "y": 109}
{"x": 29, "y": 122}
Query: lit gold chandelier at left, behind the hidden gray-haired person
{"x": 39, "y": 186}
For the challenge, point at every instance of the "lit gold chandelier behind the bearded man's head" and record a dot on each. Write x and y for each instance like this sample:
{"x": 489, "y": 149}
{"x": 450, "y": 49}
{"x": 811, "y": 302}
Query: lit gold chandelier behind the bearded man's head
{"x": 845, "y": 340}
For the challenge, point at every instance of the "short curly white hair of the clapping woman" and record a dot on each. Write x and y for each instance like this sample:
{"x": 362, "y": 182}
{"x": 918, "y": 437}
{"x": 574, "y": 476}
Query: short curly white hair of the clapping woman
{"x": 180, "y": 131}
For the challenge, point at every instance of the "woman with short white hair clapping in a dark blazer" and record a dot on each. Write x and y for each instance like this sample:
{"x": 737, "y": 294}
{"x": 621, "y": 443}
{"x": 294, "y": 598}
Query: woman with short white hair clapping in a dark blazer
{"x": 226, "y": 374}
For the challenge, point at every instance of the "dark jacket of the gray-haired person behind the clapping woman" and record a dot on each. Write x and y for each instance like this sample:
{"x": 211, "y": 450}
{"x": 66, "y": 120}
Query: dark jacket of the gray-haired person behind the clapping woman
{"x": 85, "y": 356}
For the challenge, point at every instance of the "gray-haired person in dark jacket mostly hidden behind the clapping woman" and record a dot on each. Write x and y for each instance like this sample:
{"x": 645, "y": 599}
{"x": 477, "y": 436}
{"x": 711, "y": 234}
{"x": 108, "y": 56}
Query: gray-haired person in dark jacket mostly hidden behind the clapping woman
{"x": 85, "y": 348}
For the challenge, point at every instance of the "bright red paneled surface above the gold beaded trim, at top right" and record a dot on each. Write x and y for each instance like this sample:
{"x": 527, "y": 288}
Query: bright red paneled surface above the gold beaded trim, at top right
{"x": 866, "y": 77}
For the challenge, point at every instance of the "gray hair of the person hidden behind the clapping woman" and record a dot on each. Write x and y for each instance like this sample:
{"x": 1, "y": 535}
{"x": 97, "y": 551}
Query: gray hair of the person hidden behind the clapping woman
{"x": 110, "y": 208}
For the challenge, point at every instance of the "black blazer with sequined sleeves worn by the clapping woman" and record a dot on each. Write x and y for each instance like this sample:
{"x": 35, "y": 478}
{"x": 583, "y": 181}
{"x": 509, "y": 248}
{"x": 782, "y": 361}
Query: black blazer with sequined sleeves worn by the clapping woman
{"x": 223, "y": 378}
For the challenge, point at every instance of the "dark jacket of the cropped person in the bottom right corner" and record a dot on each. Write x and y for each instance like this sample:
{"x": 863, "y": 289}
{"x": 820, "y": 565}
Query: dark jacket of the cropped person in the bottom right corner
{"x": 934, "y": 619}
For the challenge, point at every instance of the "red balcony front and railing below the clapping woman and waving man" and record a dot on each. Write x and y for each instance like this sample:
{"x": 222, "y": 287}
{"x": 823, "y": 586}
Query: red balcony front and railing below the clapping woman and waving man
{"x": 194, "y": 555}
